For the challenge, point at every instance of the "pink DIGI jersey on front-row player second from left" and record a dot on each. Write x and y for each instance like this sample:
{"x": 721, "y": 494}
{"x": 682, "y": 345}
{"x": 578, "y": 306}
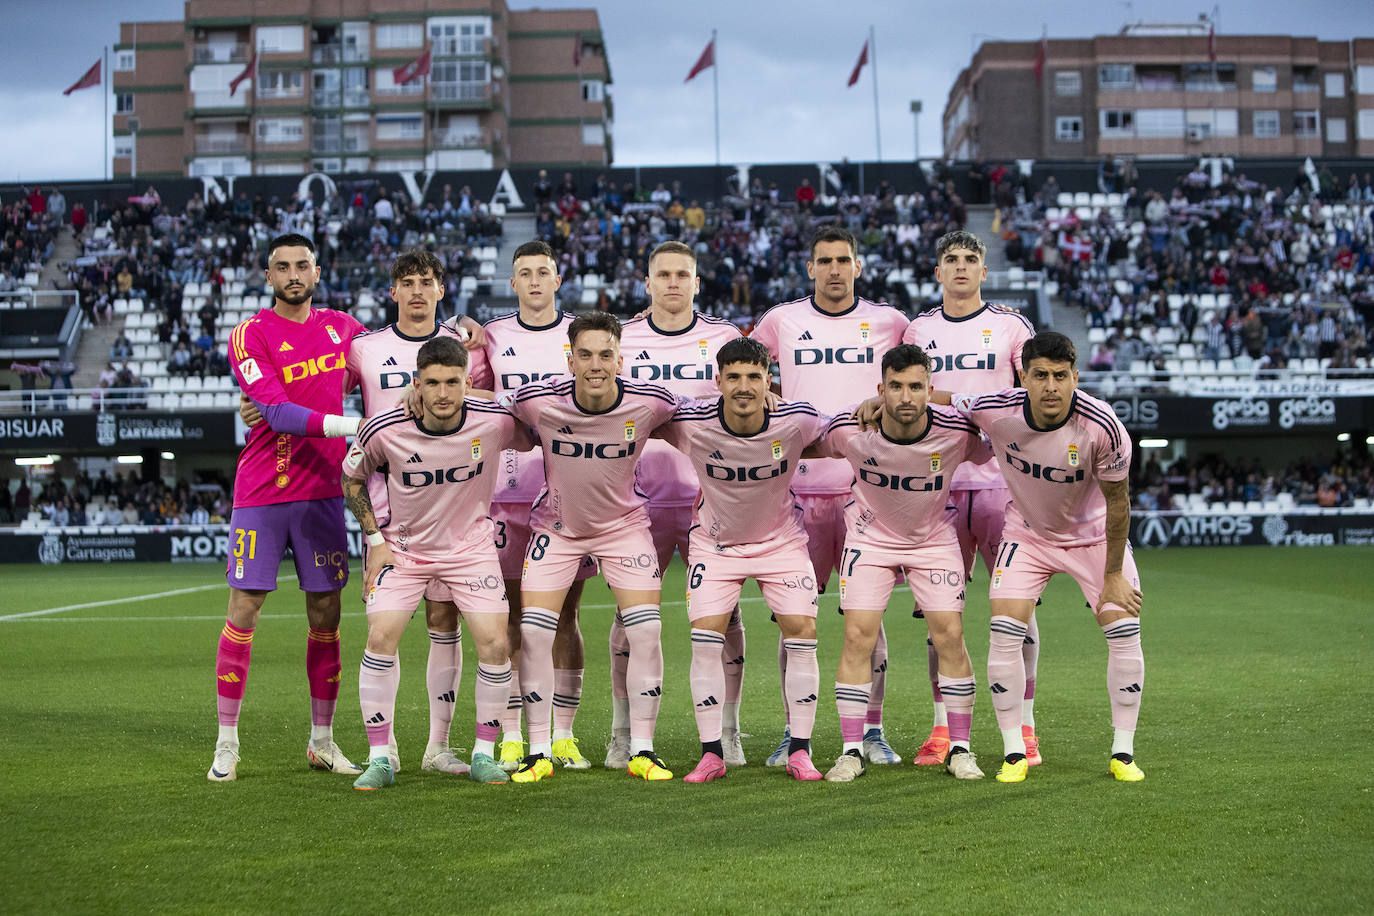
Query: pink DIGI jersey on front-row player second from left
{"x": 590, "y": 458}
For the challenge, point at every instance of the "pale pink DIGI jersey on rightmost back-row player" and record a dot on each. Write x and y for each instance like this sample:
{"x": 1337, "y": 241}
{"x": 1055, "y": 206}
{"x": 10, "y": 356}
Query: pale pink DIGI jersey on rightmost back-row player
{"x": 975, "y": 355}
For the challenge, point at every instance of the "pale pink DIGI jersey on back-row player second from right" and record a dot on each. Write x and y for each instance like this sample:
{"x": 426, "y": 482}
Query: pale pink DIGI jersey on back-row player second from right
{"x": 832, "y": 362}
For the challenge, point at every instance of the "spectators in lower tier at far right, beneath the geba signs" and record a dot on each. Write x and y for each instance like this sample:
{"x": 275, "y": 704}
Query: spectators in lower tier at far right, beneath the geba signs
{"x": 1335, "y": 483}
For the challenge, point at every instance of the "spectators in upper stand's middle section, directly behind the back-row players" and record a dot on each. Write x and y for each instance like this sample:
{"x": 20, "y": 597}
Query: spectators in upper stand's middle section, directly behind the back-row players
{"x": 751, "y": 248}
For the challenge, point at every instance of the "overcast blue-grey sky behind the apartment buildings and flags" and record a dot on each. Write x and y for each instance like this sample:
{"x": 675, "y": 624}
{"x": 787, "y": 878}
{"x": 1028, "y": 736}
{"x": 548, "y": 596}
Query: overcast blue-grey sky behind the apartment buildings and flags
{"x": 782, "y": 71}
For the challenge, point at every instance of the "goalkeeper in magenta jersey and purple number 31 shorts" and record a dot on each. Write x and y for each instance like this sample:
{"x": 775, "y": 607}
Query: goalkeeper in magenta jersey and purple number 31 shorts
{"x": 291, "y": 360}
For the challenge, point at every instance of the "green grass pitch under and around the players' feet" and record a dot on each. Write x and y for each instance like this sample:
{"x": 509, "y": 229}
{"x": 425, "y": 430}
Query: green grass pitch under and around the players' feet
{"x": 1255, "y": 735}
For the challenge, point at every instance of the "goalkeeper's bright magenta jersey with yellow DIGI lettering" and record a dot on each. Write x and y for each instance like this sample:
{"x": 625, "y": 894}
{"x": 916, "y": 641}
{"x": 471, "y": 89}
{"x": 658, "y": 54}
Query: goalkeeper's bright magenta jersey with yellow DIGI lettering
{"x": 282, "y": 362}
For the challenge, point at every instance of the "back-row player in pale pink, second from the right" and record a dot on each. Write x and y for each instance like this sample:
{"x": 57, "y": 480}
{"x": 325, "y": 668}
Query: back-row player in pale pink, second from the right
{"x": 826, "y": 350}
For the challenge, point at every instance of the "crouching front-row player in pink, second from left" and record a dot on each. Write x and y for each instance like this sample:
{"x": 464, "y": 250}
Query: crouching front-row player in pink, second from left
{"x": 592, "y": 431}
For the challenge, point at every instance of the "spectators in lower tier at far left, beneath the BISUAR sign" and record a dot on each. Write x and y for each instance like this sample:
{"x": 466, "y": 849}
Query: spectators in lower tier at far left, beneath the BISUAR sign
{"x": 119, "y": 501}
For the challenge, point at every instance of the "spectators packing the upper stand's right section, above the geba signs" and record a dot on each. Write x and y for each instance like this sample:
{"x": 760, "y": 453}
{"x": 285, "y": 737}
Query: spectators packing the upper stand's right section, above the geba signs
{"x": 1241, "y": 271}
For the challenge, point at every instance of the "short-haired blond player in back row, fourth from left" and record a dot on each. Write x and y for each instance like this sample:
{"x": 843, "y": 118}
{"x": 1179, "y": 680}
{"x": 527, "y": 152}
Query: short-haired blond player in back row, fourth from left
{"x": 675, "y": 347}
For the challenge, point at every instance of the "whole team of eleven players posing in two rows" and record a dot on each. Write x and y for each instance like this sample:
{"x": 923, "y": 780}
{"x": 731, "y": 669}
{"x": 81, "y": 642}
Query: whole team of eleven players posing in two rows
{"x": 741, "y": 484}
